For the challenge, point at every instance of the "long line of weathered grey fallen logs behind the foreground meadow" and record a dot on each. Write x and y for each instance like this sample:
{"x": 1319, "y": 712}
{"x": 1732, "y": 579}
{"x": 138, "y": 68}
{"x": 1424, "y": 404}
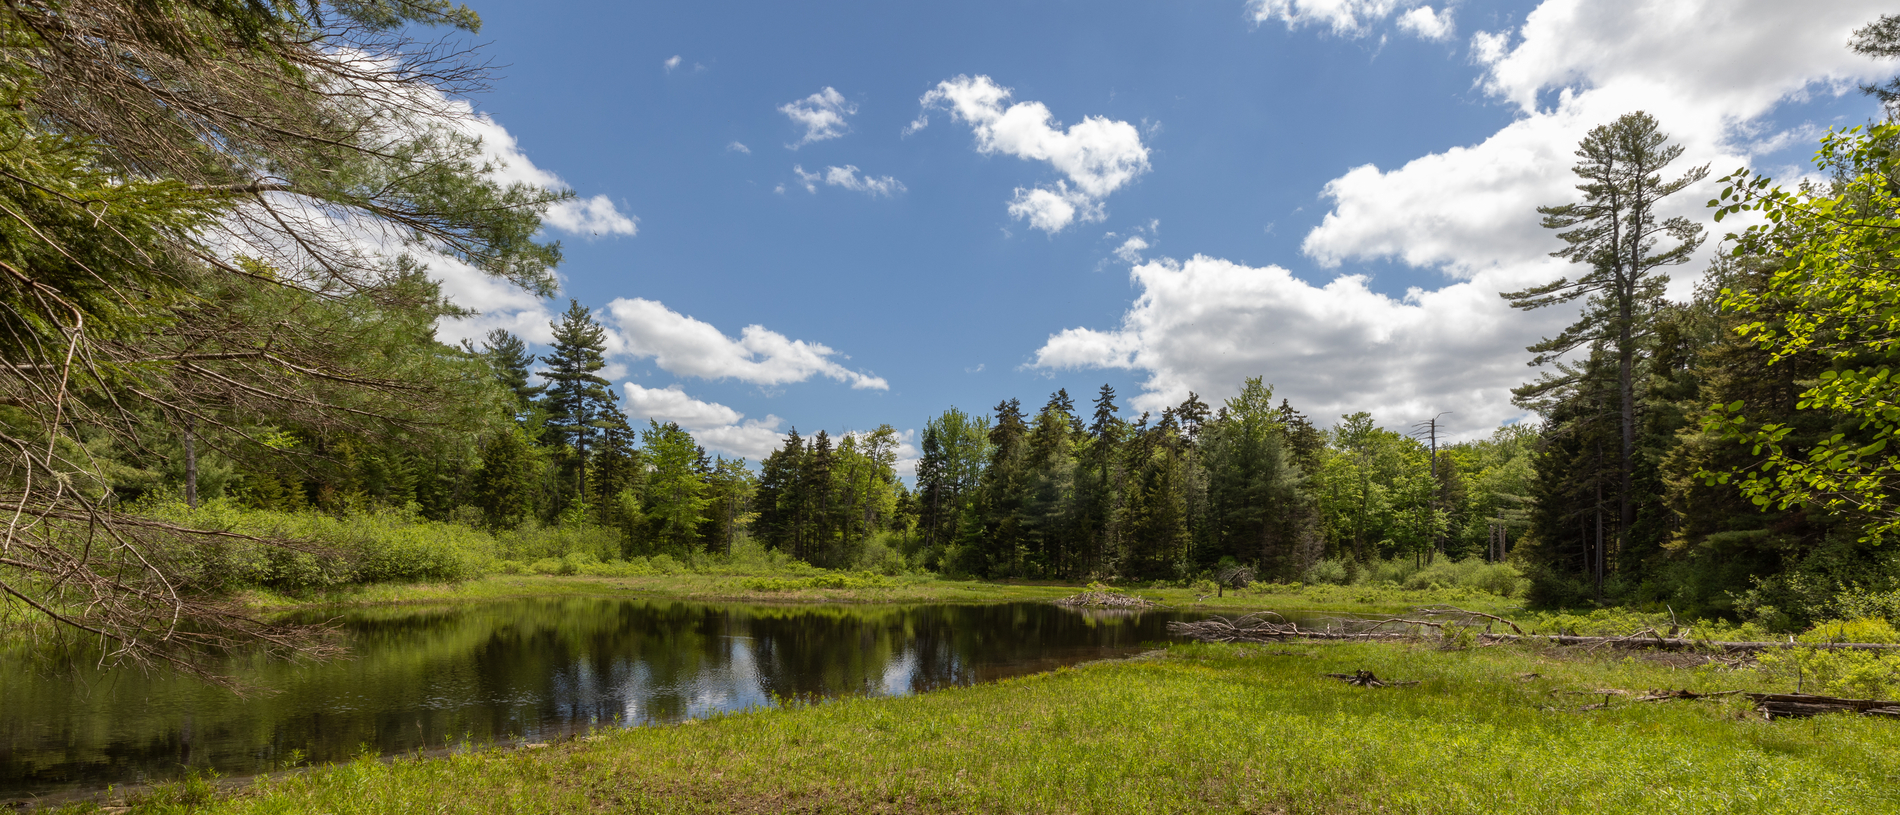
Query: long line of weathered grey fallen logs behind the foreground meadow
{"x": 1274, "y": 628}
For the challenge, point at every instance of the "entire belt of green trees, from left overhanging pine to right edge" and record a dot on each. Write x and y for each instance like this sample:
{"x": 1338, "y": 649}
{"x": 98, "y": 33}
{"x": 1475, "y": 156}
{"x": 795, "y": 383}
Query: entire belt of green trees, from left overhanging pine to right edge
{"x": 214, "y": 284}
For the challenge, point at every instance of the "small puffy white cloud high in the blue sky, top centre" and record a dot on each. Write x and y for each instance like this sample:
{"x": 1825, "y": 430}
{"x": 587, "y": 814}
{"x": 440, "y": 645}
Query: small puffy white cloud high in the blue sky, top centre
{"x": 1097, "y": 155}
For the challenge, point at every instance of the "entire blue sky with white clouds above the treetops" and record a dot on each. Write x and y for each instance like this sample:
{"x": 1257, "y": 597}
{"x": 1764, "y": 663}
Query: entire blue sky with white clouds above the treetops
{"x": 1321, "y": 193}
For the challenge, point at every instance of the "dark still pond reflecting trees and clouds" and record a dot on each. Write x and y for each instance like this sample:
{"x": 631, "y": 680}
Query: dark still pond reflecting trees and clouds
{"x": 425, "y": 679}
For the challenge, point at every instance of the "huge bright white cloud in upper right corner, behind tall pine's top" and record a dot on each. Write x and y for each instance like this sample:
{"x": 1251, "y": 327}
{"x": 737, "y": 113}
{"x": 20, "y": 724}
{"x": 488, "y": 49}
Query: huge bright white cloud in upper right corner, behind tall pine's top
{"x": 1473, "y": 208}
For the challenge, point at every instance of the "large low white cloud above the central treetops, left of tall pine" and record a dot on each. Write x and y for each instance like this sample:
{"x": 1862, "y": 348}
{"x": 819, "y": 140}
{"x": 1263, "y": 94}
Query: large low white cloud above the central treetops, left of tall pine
{"x": 1211, "y": 324}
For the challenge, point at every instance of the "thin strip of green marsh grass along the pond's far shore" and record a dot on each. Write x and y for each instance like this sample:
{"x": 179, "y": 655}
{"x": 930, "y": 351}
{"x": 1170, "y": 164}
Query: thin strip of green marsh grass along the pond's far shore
{"x": 871, "y": 588}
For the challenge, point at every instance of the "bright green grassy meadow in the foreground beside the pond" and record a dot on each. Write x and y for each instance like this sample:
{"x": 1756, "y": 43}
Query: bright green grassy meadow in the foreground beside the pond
{"x": 1188, "y": 729}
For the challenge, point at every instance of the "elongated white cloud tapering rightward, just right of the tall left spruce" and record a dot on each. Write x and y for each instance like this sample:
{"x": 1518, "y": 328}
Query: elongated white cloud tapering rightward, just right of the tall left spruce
{"x": 687, "y": 347}
